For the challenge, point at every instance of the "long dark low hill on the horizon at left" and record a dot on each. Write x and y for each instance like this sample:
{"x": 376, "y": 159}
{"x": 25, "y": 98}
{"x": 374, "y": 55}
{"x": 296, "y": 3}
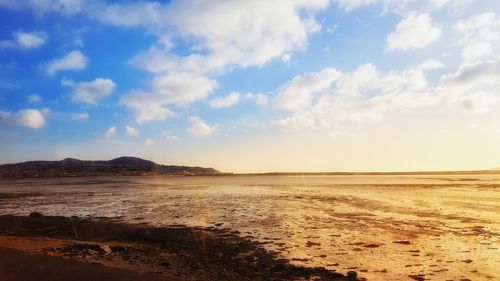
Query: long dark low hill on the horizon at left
{"x": 75, "y": 167}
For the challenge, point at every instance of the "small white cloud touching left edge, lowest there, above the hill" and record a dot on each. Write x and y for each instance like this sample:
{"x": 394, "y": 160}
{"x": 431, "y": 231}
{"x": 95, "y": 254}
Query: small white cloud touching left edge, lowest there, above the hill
{"x": 30, "y": 118}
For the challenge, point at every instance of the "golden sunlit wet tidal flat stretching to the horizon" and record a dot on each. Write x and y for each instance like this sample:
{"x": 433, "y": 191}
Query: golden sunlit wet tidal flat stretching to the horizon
{"x": 384, "y": 227}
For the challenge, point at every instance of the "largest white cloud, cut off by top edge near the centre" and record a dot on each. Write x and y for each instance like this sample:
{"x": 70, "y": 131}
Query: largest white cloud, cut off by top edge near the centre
{"x": 242, "y": 33}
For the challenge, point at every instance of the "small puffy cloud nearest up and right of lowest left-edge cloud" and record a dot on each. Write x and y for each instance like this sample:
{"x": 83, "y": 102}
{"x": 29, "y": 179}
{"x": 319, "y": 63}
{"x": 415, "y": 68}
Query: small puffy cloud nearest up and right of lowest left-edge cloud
{"x": 91, "y": 91}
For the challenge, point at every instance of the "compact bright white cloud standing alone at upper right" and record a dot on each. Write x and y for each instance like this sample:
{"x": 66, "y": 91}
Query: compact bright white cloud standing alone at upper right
{"x": 413, "y": 32}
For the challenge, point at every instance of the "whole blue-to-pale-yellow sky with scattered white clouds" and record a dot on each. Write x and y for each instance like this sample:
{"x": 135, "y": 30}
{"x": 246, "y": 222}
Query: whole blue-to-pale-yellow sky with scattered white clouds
{"x": 253, "y": 86}
